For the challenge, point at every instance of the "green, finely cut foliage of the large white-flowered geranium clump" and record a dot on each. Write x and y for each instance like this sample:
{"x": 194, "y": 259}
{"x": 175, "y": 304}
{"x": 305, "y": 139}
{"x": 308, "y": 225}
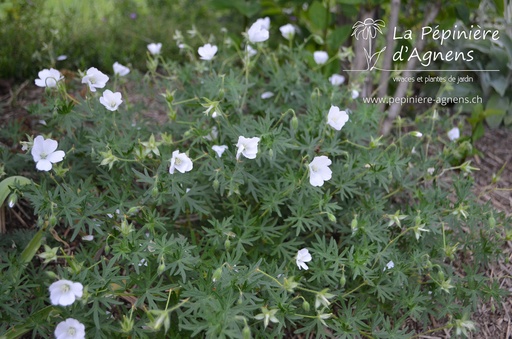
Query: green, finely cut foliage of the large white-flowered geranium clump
{"x": 396, "y": 236}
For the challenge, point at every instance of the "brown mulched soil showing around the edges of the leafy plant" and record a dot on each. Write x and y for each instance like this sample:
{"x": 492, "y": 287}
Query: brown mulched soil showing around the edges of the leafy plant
{"x": 494, "y": 319}
